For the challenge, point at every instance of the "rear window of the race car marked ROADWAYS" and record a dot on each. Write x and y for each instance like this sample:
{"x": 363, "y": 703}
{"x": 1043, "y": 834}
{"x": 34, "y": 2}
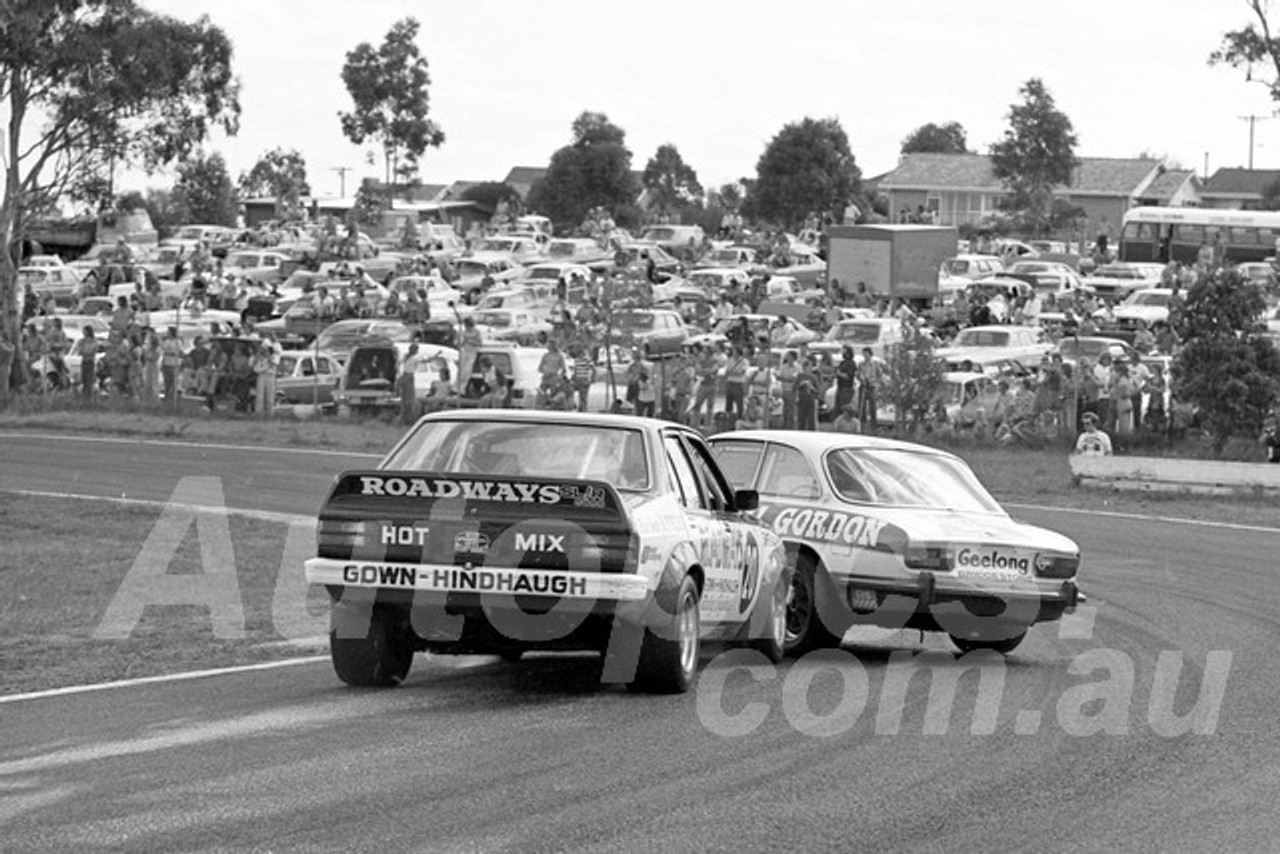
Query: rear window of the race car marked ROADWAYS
{"x": 579, "y": 453}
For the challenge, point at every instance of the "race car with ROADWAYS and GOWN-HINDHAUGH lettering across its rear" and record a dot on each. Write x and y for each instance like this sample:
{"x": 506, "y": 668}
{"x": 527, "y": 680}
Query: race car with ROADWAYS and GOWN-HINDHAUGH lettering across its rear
{"x": 500, "y": 532}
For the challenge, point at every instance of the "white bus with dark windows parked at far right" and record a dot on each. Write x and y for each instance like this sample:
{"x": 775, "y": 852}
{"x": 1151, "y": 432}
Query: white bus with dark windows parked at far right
{"x": 1162, "y": 235}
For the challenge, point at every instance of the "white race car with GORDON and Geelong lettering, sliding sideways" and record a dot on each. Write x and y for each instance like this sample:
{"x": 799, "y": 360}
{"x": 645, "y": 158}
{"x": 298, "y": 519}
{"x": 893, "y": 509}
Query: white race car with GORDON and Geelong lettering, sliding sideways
{"x": 898, "y": 536}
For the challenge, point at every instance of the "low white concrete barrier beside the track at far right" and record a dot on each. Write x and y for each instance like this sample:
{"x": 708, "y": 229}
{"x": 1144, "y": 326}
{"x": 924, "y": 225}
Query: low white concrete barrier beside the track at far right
{"x": 1168, "y": 474}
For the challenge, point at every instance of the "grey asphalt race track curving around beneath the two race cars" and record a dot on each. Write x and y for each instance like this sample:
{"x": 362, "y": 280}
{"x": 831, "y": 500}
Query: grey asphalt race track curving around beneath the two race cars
{"x": 1072, "y": 747}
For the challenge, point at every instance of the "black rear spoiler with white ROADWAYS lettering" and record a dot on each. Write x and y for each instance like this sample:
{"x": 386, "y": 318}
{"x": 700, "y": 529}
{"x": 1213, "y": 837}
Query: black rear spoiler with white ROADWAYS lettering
{"x": 500, "y": 495}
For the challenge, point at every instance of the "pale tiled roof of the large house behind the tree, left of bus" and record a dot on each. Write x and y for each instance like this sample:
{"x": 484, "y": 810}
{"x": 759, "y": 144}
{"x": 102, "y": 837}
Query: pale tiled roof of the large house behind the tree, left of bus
{"x": 1092, "y": 177}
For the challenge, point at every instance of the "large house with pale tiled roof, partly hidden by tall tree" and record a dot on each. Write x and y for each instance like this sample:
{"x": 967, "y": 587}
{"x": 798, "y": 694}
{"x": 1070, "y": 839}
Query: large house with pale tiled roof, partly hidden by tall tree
{"x": 963, "y": 189}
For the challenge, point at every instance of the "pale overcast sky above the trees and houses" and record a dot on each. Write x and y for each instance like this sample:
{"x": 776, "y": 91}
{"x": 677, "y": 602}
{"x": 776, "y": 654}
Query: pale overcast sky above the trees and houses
{"x": 720, "y": 79}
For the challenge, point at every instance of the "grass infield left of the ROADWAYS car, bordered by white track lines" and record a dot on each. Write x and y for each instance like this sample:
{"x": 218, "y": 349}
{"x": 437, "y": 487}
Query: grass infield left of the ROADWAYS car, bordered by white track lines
{"x": 67, "y": 560}
